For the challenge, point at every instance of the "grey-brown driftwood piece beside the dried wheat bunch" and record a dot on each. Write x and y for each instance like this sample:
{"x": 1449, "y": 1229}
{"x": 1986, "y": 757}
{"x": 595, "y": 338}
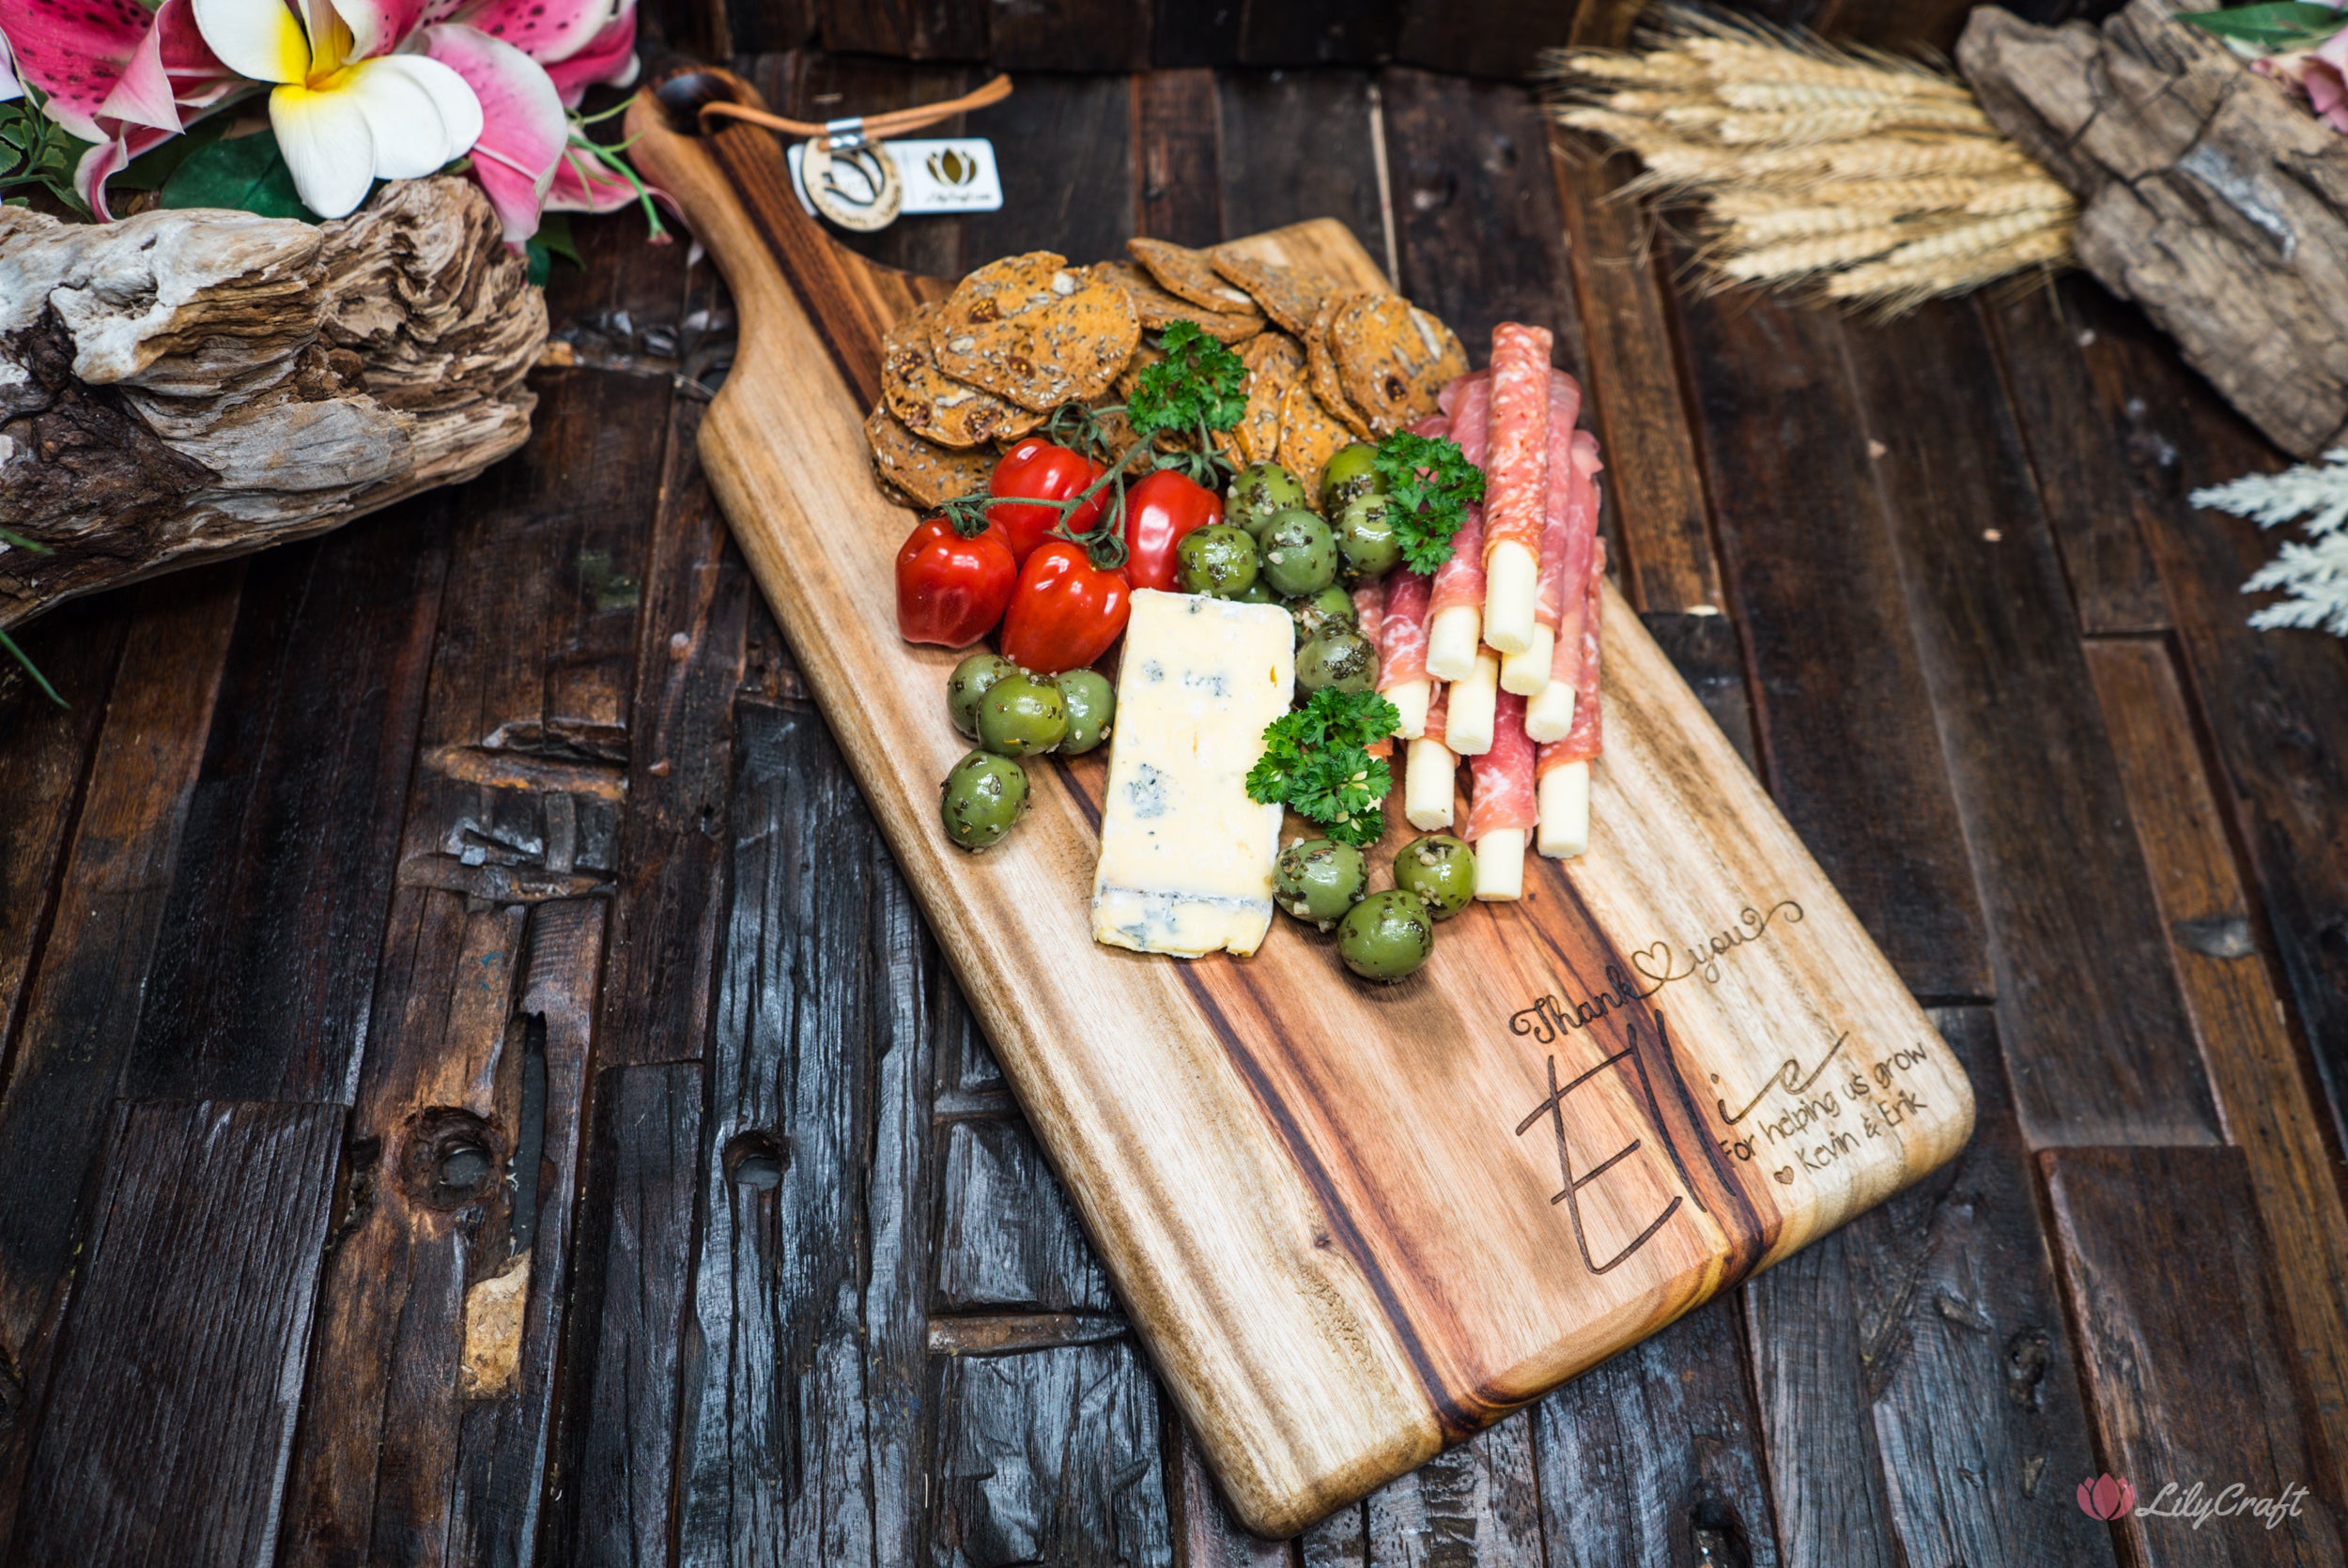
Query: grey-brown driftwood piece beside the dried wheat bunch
{"x": 2208, "y": 196}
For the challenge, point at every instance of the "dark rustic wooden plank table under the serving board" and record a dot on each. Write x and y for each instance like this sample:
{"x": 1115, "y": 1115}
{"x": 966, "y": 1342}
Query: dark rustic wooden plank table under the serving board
{"x": 475, "y": 1090}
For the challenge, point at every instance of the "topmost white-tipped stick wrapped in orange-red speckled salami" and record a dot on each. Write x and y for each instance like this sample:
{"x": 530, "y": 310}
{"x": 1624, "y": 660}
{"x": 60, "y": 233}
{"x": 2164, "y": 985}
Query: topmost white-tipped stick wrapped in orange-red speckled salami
{"x": 1516, "y": 482}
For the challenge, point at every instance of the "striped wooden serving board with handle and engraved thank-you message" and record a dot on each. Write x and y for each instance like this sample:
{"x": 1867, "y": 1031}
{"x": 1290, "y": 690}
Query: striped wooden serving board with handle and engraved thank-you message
{"x": 1354, "y": 1224}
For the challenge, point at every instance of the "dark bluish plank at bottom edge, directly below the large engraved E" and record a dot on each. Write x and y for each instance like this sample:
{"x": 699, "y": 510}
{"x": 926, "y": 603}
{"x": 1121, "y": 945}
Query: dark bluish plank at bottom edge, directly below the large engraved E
{"x": 1654, "y": 1459}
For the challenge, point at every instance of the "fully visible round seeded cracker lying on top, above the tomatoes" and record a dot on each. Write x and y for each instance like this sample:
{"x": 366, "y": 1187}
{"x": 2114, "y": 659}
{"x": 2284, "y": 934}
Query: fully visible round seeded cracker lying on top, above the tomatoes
{"x": 1037, "y": 332}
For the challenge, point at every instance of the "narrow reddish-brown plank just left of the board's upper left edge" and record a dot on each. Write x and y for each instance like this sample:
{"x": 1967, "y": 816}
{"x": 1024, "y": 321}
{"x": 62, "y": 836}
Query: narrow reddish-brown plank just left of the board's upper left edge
{"x": 670, "y": 877}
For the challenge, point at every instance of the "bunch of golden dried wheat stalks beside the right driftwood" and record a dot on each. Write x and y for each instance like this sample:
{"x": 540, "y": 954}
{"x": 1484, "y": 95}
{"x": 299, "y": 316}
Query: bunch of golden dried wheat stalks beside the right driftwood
{"x": 1837, "y": 173}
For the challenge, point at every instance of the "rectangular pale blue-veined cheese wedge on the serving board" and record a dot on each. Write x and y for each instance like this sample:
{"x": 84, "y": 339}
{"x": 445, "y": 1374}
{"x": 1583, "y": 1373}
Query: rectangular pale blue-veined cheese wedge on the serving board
{"x": 1187, "y": 858}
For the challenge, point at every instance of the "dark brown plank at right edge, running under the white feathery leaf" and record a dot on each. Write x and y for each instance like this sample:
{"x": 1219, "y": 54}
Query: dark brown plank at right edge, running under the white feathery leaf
{"x": 2274, "y": 703}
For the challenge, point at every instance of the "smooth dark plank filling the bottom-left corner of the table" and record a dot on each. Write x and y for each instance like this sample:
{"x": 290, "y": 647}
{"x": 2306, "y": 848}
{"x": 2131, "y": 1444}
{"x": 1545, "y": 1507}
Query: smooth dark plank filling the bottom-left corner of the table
{"x": 173, "y": 1407}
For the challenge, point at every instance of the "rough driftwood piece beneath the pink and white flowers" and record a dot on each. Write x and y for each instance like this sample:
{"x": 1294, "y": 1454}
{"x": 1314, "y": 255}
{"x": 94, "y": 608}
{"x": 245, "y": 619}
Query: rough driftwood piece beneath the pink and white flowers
{"x": 187, "y": 386}
